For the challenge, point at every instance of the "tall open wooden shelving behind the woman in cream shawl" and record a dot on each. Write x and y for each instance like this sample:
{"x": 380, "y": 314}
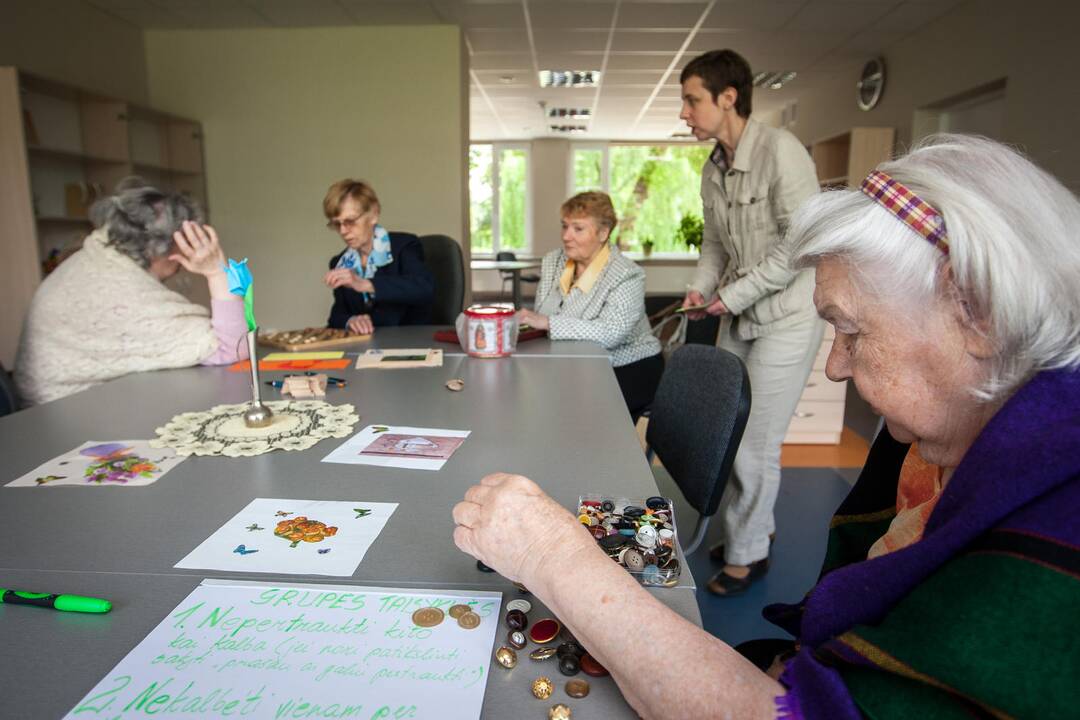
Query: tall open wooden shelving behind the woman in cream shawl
{"x": 62, "y": 148}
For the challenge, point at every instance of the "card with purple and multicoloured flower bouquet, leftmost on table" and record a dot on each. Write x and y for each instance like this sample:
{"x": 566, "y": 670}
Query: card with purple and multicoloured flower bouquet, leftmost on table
{"x": 117, "y": 464}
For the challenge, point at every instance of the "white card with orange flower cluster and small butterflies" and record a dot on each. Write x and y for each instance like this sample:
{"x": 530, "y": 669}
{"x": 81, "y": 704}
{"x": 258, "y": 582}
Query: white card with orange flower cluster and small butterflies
{"x": 295, "y": 537}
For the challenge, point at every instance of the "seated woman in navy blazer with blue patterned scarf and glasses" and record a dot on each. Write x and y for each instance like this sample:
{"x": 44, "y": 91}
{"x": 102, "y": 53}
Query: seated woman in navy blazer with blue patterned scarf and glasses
{"x": 381, "y": 278}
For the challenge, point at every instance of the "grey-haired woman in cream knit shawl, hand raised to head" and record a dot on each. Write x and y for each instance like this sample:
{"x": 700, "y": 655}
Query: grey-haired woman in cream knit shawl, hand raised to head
{"x": 105, "y": 313}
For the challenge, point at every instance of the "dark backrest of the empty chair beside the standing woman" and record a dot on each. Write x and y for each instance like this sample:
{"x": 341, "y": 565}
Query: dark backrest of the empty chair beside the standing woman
{"x": 696, "y": 425}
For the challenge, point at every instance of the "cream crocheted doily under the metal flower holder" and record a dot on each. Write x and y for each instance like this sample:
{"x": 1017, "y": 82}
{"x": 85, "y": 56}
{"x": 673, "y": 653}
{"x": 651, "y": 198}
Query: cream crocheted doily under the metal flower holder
{"x": 221, "y": 431}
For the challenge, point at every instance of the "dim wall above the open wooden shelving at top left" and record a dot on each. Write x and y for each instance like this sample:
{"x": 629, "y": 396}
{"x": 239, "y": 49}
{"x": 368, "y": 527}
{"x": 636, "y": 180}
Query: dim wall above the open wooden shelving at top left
{"x": 75, "y": 44}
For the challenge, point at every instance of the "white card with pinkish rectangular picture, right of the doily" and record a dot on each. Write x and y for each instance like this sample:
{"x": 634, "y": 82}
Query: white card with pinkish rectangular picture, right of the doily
{"x": 399, "y": 446}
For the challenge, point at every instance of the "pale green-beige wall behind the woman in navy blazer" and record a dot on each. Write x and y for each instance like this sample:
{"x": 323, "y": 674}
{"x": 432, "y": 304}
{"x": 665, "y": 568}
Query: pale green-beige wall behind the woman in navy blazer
{"x": 287, "y": 113}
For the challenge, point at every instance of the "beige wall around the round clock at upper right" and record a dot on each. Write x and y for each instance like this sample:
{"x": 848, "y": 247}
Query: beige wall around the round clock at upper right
{"x": 1033, "y": 45}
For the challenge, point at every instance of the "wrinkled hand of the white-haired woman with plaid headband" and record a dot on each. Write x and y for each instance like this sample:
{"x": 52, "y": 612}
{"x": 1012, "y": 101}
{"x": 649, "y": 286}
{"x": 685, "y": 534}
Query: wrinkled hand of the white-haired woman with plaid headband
{"x": 509, "y": 524}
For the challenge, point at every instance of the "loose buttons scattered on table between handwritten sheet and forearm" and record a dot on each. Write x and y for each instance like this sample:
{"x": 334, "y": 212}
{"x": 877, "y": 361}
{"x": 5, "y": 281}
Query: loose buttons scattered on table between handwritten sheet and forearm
{"x": 572, "y": 657}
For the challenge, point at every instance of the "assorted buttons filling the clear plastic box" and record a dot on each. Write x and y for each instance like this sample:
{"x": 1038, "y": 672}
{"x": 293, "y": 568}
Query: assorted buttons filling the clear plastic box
{"x": 639, "y": 536}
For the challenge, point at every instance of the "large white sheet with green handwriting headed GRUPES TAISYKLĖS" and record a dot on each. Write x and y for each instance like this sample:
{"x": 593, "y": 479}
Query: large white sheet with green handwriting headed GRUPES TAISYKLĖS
{"x": 261, "y": 650}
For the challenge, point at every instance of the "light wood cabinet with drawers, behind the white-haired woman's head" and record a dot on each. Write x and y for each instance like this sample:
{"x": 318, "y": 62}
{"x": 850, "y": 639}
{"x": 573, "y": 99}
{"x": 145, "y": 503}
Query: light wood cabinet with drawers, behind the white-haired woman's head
{"x": 843, "y": 160}
